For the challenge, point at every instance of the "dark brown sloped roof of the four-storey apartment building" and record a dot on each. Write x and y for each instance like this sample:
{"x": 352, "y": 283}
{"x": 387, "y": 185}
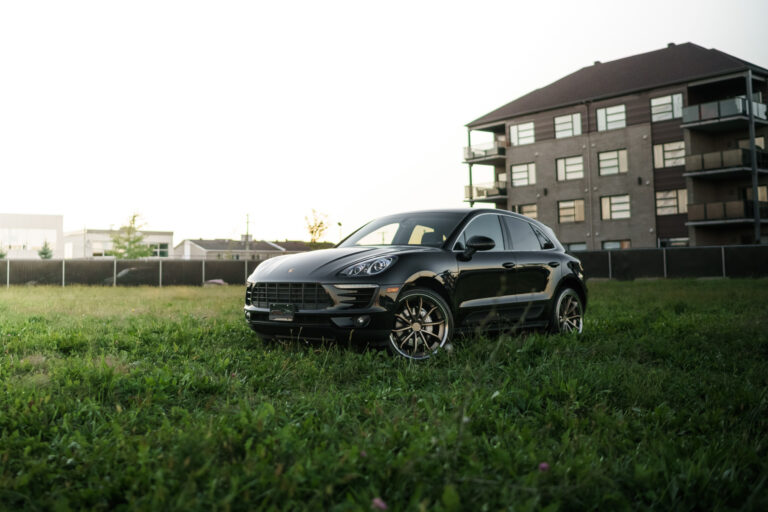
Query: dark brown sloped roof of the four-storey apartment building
{"x": 671, "y": 65}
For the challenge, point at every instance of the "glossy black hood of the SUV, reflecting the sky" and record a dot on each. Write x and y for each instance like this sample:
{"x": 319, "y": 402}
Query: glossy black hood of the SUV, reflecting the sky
{"x": 324, "y": 264}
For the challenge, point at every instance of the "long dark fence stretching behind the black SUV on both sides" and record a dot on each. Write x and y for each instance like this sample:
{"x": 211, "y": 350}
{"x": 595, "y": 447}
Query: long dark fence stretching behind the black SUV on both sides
{"x": 726, "y": 261}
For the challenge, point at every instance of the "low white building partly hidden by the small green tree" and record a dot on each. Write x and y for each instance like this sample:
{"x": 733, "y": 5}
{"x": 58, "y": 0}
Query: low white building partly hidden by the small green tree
{"x": 97, "y": 243}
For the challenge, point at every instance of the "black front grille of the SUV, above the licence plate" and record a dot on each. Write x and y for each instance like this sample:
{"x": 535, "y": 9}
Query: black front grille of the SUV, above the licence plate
{"x": 305, "y": 296}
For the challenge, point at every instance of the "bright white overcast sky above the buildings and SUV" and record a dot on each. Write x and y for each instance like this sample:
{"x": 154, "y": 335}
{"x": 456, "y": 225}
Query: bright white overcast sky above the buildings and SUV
{"x": 198, "y": 115}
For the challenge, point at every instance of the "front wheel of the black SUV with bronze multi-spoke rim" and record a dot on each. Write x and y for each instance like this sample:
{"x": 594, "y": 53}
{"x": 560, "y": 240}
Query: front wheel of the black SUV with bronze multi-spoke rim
{"x": 423, "y": 324}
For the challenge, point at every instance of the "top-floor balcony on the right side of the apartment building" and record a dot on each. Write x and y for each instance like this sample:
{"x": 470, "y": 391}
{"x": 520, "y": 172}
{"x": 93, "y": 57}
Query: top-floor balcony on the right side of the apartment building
{"x": 722, "y": 115}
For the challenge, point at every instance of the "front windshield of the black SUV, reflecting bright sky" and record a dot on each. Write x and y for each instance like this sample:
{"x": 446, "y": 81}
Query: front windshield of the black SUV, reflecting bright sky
{"x": 430, "y": 229}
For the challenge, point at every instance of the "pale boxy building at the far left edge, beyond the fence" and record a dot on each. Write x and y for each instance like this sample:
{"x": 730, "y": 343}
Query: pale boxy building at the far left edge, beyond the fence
{"x": 23, "y": 235}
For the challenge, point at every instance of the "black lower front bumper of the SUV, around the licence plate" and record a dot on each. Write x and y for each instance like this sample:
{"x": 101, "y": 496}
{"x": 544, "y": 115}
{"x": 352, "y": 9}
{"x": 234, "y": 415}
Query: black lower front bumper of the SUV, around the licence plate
{"x": 339, "y": 322}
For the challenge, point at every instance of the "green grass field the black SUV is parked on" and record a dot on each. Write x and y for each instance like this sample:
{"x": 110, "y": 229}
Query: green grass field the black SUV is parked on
{"x": 163, "y": 399}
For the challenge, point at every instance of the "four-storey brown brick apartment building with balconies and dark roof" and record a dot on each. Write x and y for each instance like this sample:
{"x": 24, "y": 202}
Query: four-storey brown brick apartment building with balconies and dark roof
{"x": 657, "y": 149}
